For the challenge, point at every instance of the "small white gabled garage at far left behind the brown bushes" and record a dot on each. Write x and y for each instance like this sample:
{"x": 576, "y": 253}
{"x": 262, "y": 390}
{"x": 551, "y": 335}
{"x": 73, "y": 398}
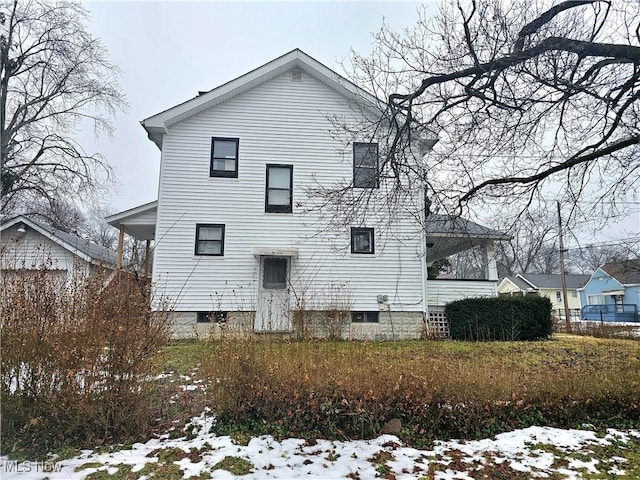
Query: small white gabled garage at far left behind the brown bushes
{"x": 27, "y": 245}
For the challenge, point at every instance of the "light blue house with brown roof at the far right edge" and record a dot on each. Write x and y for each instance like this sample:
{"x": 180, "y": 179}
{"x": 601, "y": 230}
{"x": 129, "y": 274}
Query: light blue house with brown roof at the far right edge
{"x": 612, "y": 294}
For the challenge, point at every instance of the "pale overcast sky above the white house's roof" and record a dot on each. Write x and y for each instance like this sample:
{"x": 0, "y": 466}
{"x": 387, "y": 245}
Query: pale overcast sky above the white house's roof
{"x": 168, "y": 51}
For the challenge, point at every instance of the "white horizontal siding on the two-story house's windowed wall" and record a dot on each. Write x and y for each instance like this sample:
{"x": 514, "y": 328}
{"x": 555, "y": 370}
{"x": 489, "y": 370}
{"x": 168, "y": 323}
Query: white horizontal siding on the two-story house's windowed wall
{"x": 277, "y": 122}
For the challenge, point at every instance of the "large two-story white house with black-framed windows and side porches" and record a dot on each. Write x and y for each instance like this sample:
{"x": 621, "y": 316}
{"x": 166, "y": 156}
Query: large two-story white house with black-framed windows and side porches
{"x": 238, "y": 235}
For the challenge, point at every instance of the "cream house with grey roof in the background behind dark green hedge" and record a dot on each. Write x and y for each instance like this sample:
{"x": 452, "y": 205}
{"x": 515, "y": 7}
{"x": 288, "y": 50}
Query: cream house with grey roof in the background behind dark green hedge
{"x": 549, "y": 286}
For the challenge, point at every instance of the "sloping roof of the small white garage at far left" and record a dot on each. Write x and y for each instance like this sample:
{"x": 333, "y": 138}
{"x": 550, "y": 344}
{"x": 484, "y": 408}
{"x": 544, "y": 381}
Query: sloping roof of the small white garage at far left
{"x": 84, "y": 249}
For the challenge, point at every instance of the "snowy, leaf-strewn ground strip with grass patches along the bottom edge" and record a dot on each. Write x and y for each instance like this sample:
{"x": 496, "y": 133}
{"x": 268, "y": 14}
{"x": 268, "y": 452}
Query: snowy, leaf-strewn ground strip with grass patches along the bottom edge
{"x": 535, "y": 452}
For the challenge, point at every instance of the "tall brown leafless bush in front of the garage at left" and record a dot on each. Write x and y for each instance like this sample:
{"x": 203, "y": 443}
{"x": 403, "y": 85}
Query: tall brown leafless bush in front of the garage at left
{"x": 77, "y": 360}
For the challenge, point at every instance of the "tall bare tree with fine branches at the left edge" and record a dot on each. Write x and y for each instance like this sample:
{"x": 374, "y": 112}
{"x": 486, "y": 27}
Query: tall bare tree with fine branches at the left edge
{"x": 54, "y": 76}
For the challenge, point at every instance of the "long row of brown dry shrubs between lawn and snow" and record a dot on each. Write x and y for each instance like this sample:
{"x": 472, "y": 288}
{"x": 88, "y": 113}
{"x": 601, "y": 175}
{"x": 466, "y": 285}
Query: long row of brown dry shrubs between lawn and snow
{"x": 342, "y": 390}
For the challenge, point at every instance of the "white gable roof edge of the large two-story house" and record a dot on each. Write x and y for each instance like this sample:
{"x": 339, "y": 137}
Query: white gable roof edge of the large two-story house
{"x": 158, "y": 124}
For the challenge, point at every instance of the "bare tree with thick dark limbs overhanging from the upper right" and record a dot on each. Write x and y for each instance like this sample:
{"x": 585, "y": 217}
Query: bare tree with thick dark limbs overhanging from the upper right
{"x": 527, "y": 99}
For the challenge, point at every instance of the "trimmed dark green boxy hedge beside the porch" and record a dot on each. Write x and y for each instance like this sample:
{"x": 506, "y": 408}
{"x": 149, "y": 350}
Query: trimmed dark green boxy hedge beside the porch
{"x": 501, "y": 318}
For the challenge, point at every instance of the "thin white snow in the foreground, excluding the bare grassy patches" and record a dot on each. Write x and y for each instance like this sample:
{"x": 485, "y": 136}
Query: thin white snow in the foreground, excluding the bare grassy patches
{"x": 297, "y": 458}
